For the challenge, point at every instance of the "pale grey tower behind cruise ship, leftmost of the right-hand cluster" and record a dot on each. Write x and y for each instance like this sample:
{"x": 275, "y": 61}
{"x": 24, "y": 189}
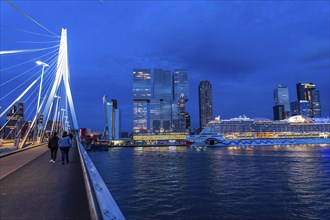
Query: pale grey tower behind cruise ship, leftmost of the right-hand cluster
{"x": 281, "y": 97}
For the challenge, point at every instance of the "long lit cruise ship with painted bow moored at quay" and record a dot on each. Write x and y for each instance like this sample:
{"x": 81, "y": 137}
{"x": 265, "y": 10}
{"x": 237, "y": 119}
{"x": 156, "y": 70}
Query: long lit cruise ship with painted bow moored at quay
{"x": 244, "y": 131}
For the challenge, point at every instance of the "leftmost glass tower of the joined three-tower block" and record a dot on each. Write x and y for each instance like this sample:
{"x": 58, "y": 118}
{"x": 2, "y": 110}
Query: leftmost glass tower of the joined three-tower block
{"x": 141, "y": 99}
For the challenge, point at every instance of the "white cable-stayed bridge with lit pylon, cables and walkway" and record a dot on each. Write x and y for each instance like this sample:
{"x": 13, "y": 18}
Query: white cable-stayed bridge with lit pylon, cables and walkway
{"x": 36, "y": 101}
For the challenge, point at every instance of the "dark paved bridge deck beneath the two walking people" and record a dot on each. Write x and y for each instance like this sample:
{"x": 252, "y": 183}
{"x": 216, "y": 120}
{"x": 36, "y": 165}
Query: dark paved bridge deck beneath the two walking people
{"x": 43, "y": 190}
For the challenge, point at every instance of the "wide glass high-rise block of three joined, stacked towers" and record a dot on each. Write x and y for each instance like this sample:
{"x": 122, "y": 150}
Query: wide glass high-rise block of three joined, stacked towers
{"x": 162, "y": 110}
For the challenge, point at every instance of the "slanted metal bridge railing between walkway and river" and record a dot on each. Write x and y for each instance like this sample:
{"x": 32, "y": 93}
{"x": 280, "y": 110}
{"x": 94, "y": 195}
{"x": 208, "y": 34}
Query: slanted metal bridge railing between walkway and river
{"x": 99, "y": 196}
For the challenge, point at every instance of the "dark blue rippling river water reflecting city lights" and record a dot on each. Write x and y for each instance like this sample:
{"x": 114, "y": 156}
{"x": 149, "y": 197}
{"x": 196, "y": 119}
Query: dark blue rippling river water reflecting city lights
{"x": 287, "y": 182}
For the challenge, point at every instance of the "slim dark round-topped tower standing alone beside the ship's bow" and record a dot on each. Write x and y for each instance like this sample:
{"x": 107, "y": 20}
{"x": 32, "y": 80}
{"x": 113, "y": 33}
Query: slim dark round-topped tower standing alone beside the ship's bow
{"x": 205, "y": 103}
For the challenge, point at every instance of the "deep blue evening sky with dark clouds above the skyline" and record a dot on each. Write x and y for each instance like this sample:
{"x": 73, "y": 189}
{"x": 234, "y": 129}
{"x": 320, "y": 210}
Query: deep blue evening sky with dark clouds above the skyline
{"x": 245, "y": 48}
